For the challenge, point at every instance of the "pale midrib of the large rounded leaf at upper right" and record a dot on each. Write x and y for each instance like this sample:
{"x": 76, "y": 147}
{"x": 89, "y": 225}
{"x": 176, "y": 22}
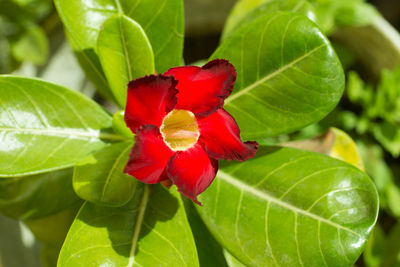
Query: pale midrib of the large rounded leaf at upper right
{"x": 273, "y": 74}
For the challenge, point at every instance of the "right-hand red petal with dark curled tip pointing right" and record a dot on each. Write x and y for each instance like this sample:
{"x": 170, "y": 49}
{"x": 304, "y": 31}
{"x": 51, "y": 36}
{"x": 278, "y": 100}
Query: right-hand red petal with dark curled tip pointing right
{"x": 221, "y": 136}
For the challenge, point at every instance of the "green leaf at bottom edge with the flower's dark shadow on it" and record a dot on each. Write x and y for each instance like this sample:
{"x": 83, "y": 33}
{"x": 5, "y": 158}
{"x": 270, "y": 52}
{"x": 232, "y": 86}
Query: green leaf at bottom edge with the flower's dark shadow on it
{"x": 152, "y": 229}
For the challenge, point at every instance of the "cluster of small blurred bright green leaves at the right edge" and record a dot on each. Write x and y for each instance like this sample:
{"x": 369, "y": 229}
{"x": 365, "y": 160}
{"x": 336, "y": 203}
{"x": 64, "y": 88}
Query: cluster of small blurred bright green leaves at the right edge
{"x": 380, "y": 107}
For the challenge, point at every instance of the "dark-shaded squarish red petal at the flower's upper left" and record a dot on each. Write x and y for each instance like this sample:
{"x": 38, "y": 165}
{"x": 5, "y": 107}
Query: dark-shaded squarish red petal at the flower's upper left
{"x": 149, "y": 99}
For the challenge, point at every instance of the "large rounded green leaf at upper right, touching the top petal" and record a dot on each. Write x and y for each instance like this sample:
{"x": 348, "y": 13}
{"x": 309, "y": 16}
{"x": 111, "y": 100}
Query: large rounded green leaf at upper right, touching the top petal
{"x": 288, "y": 75}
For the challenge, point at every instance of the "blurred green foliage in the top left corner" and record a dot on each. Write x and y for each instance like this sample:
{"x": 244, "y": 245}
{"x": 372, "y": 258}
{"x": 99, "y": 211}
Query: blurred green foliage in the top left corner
{"x": 21, "y": 36}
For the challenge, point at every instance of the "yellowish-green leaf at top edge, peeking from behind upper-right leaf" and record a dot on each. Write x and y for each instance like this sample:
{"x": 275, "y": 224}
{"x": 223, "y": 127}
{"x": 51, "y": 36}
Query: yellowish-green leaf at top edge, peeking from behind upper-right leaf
{"x": 246, "y": 11}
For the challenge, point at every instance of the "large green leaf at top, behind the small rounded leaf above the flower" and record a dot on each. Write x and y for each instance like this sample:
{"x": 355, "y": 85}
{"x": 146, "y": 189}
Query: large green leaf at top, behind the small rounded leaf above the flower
{"x": 162, "y": 22}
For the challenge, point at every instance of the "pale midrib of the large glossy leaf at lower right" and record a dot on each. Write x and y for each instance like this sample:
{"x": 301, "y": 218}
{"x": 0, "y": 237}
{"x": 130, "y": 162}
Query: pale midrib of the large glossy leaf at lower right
{"x": 245, "y": 187}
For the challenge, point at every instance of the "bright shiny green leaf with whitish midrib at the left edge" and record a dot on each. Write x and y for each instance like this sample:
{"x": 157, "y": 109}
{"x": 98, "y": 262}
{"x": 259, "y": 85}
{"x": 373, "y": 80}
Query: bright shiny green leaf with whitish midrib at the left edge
{"x": 46, "y": 127}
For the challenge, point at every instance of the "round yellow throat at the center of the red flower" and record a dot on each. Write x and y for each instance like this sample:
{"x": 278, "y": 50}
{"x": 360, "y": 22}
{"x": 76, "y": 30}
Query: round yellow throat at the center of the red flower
{"x": 180, "y": 130}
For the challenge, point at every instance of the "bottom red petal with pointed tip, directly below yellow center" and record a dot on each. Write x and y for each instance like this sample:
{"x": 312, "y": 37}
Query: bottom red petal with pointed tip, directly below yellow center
{"x": 192, "y": 171}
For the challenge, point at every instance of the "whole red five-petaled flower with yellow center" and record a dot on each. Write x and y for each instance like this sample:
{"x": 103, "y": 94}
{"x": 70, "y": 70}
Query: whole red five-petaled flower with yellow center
{"x": 181, "y": 128}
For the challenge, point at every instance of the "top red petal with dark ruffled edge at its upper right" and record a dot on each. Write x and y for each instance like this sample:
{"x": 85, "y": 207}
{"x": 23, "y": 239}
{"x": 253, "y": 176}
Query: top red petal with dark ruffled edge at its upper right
{"x": 203, "y": 90}
